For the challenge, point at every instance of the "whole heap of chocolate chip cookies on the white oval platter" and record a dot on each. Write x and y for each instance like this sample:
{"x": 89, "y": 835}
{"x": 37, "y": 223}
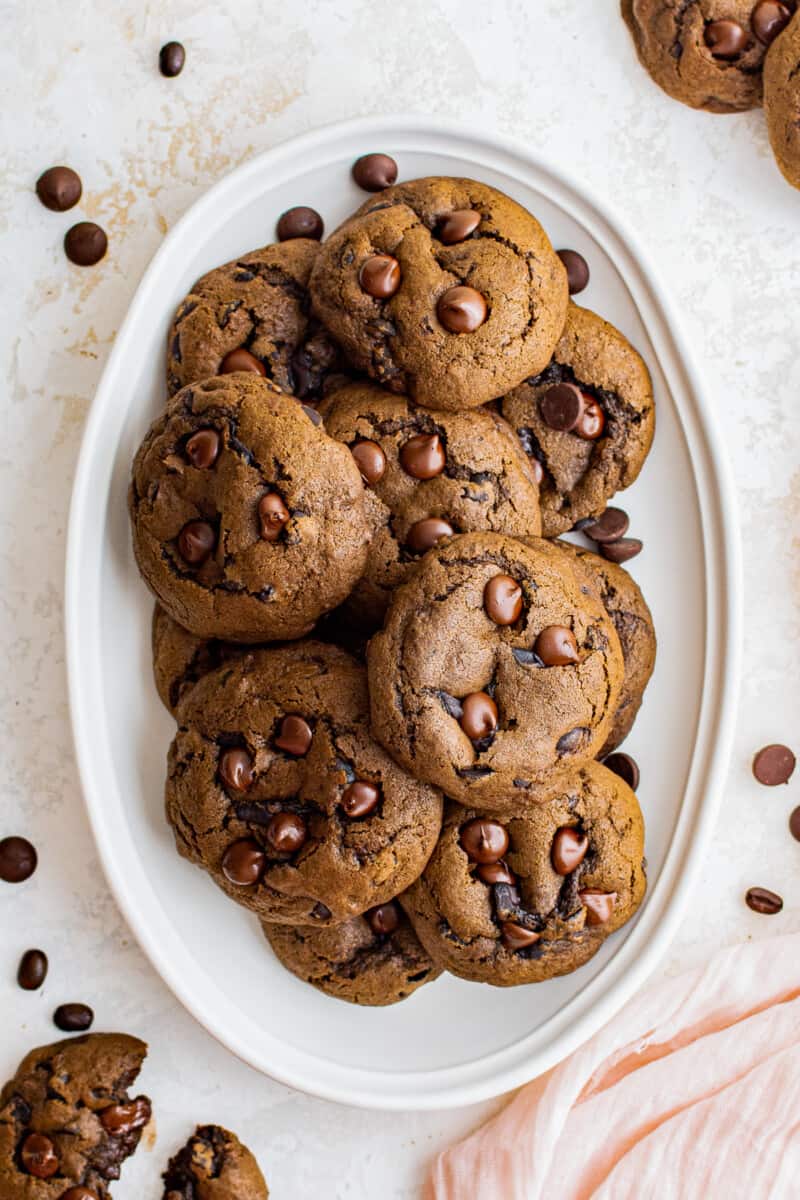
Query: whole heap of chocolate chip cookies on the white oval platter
{"x": 393, "y": 683}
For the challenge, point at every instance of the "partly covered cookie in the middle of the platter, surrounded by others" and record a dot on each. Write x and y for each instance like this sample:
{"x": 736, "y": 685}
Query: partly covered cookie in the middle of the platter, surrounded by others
{"x": 429, "y": 476}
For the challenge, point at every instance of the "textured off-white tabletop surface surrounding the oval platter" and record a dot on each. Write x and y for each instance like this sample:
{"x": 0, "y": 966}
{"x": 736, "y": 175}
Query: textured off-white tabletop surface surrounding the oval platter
{"x": 81, "y": 86}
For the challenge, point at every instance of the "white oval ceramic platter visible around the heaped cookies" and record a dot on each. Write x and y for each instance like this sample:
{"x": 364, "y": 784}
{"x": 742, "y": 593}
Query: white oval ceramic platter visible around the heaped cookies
{"x": 453, "y": 1042}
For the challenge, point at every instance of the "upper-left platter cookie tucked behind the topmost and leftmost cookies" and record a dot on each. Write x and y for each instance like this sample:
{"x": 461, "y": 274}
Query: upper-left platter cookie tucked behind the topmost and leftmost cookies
{"x": 254, "y": 315}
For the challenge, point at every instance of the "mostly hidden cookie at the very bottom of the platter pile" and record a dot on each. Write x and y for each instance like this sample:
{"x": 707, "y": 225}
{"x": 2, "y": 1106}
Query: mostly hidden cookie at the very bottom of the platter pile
{"x": 374, "y": 961}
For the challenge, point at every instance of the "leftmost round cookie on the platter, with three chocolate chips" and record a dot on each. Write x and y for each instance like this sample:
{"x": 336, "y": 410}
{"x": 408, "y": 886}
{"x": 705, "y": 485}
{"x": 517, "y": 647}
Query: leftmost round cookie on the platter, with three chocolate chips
{"x": 249, "y": 521}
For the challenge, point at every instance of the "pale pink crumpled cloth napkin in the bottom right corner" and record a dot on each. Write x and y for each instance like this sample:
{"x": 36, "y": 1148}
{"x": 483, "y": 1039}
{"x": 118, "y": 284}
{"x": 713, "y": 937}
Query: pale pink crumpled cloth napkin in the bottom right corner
{"x": 691, "y": 1093}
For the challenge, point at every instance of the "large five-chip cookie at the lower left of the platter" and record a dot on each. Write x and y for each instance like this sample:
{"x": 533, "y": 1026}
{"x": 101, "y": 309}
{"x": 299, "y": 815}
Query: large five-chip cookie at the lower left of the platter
{"x": 278, "y": 790}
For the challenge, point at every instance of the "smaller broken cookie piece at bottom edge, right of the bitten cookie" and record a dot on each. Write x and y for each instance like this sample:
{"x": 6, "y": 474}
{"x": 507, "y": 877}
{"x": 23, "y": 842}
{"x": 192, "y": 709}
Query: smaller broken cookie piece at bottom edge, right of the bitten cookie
{"x": 214, "y": 1166}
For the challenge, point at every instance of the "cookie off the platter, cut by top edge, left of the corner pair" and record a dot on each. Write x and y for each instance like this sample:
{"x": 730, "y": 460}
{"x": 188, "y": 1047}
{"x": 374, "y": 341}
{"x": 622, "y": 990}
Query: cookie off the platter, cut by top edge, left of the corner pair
{"x": 703, "y": 53}
